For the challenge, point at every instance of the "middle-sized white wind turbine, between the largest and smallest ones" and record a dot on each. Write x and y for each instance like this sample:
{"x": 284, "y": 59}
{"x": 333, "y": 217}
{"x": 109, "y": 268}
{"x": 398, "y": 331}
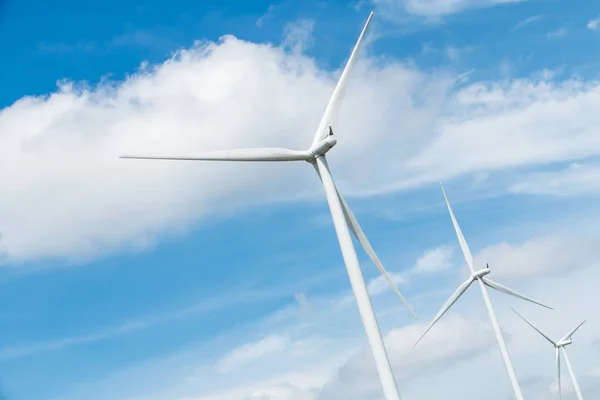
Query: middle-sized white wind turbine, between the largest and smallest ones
{"x": 484, "y": 282}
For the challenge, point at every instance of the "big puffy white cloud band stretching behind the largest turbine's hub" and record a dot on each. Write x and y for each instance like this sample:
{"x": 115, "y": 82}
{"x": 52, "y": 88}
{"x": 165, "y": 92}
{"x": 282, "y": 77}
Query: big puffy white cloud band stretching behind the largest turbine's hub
{"x": 235, "y": 94}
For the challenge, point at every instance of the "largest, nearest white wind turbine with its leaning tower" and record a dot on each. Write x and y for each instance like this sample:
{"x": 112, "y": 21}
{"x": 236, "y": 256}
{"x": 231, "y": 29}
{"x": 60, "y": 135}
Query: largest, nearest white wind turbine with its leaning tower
{"x": 324, "y": 140}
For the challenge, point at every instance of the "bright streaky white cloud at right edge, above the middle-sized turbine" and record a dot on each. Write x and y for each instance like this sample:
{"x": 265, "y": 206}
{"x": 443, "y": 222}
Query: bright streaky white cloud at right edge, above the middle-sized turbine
{"x": 503, "y": 126}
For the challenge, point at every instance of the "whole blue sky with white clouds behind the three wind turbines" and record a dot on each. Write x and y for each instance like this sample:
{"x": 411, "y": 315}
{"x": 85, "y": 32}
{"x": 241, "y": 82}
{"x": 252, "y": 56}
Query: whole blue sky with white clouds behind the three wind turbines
{"x": 125, "y": 279}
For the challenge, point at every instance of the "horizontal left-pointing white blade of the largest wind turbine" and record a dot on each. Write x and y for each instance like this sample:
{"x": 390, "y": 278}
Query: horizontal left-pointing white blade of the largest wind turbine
{"x": 258, "y": 154}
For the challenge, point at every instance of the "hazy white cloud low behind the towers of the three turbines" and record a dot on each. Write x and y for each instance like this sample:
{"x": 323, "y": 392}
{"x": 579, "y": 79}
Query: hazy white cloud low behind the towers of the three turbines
{"x": 326, "y": 356}
